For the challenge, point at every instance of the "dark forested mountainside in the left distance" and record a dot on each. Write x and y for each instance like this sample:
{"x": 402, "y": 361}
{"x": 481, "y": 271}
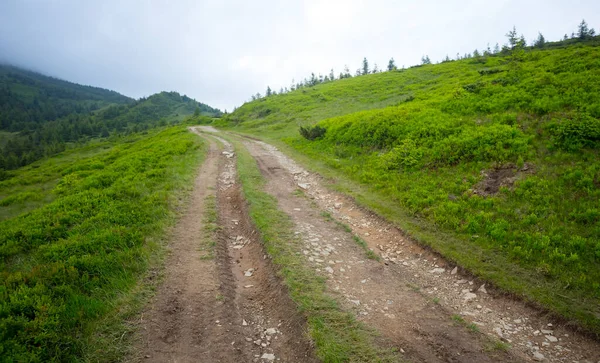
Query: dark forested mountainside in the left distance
{"x": 41, "y": 116}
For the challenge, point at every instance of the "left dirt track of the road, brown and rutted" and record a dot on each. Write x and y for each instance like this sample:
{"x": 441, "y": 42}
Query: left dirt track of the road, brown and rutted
{"x": 230, "y": 308}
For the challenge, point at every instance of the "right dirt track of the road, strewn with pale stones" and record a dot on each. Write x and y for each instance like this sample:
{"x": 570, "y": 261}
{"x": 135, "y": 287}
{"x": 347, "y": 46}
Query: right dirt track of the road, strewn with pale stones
{"x": 421, "y": 304}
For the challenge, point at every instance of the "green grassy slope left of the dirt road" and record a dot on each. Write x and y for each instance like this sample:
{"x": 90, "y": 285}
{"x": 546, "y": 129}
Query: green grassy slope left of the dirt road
{"x": 72, "y": 269}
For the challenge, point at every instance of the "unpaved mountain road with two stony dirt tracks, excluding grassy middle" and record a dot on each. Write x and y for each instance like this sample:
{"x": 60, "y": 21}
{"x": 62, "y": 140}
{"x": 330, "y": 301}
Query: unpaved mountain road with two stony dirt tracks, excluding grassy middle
{"x": 233, "y": 307}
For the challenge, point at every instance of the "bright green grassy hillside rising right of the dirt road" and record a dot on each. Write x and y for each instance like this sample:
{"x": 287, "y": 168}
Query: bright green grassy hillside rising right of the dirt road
{"x": 493, "y": 161}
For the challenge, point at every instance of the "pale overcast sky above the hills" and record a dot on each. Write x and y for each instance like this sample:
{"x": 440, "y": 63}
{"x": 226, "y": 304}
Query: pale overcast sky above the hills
{"x": 222, "y": 51}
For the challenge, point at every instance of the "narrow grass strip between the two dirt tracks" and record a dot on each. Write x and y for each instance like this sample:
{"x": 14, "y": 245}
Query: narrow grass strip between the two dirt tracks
{"x": 338, "y": 337}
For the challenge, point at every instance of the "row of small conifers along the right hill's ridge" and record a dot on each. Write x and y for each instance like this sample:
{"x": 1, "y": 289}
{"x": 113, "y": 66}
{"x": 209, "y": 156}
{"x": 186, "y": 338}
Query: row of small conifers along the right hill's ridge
{"x": 515, "y": 41}
